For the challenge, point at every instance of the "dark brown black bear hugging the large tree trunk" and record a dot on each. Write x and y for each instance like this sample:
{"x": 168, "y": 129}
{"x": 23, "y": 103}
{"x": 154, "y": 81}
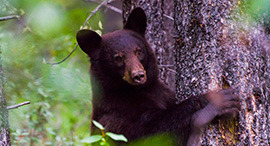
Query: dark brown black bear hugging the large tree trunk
{"x": 128, "y": 98}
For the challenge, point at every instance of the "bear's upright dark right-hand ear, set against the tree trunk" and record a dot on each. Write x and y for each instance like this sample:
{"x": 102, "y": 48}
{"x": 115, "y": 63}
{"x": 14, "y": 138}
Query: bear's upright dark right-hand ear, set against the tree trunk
{"x": 136, "y": 21}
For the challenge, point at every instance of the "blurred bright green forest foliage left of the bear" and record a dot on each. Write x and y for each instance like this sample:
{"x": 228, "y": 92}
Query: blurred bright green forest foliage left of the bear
{"x": 60, "y": 95}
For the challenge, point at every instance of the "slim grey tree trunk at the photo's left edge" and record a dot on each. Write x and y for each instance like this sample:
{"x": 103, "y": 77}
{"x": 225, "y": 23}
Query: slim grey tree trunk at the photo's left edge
{"x": 4, "y": 125}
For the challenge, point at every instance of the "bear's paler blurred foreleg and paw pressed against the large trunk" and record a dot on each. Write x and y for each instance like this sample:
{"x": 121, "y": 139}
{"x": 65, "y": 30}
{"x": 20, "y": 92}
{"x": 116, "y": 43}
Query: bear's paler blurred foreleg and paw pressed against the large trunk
{"x": 224, "y": 102}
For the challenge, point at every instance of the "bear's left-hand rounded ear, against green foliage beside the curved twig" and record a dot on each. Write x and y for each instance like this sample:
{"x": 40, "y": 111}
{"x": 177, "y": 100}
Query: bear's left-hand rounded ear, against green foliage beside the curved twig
{"x": 89, "y": 41}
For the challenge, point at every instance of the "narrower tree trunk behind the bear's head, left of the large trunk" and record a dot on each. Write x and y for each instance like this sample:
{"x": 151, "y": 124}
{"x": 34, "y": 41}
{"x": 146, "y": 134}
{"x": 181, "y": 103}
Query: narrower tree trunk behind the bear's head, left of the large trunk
{"x": 159, "y": 33}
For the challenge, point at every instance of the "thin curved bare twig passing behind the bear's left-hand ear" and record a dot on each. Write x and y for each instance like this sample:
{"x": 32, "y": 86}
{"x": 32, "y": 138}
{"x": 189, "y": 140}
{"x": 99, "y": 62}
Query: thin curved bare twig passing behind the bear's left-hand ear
{"x": 85, "y": 22}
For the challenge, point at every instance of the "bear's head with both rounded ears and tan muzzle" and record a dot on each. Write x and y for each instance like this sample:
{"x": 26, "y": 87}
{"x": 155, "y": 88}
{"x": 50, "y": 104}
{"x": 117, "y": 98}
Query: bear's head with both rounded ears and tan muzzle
{"x": 123, "y": 55}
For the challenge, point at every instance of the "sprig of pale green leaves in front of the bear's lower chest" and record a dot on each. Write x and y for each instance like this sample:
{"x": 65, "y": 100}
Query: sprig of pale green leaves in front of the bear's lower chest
{"x": 102, "y": 138}
